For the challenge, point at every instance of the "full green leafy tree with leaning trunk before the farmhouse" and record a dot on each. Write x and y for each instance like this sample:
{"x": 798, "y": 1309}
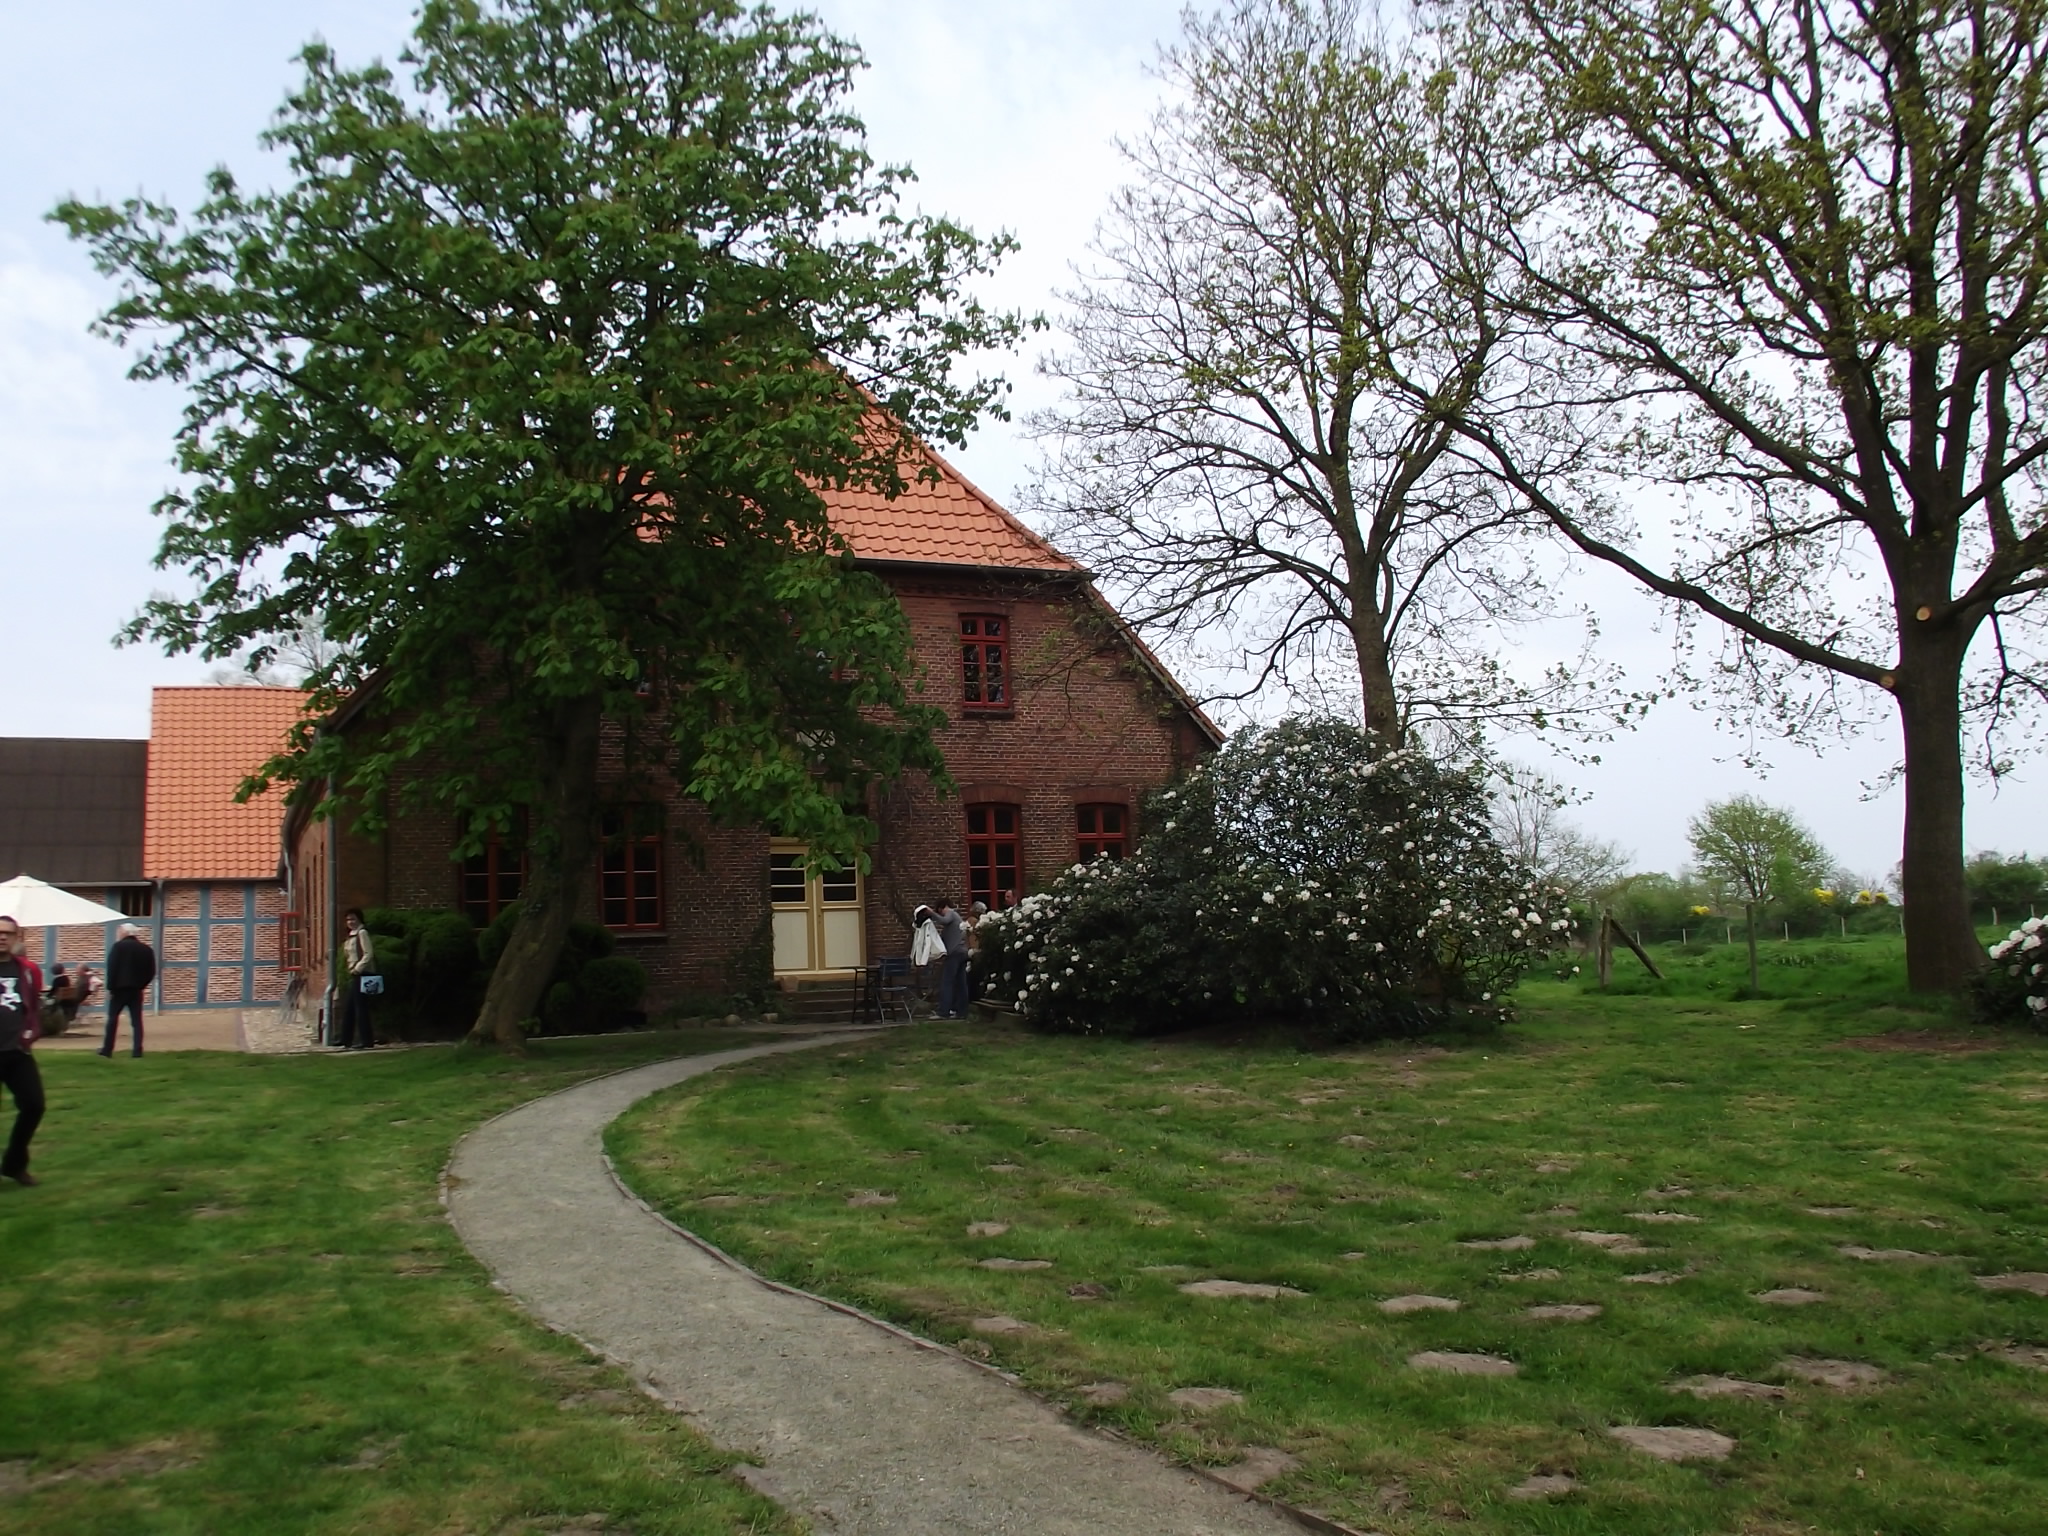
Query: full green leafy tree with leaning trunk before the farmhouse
{"x": 527, "y": 382}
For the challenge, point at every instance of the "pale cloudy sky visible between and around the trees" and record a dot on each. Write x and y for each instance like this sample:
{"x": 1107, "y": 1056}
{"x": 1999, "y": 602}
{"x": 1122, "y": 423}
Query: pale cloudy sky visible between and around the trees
{"x": 1009, "y": 114}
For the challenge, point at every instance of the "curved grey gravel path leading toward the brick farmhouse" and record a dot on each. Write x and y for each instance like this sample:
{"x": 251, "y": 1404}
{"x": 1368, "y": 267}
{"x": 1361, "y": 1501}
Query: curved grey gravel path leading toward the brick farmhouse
{"x": 855, "y": 1428}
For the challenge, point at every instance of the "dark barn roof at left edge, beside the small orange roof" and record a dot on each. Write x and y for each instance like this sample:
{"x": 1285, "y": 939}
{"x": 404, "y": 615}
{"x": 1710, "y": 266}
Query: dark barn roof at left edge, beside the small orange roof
{"x": 71, "y": 810}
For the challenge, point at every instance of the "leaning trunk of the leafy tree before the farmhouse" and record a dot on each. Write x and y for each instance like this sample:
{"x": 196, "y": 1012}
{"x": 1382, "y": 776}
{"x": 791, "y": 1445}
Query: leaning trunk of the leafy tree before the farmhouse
{"x": 564, "y": 839}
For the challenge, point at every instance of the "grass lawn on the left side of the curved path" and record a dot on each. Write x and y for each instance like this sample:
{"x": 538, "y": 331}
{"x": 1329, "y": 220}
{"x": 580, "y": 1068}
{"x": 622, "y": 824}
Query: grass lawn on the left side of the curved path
{"x": 234, "y": 1306}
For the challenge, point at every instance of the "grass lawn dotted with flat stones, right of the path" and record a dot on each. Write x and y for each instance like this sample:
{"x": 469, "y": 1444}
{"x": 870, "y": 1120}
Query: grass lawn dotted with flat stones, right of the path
{"x": 1738, "y": 1146}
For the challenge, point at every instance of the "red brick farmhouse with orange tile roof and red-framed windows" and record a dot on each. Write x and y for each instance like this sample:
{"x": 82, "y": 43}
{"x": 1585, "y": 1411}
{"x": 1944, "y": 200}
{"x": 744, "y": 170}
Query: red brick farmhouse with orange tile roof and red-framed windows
{"x": 1058, "y": 722}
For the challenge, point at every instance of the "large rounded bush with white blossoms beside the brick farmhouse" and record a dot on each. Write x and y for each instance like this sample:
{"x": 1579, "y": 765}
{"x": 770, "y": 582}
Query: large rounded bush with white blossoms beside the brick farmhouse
{"x": 1295, "y": 876}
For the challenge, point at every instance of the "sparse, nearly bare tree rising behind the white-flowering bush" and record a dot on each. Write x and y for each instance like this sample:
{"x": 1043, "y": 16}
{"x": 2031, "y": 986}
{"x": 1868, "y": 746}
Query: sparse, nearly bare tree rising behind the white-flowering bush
{"x": 1265, "y": 374}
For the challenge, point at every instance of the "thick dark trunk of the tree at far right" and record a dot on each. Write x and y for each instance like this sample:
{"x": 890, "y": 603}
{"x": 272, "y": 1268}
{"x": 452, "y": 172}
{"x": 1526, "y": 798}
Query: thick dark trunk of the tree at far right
{"x": 1943, "y": 951}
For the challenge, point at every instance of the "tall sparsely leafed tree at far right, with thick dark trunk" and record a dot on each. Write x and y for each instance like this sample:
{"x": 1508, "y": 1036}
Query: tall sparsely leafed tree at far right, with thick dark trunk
{"x": 1789, "y": 261}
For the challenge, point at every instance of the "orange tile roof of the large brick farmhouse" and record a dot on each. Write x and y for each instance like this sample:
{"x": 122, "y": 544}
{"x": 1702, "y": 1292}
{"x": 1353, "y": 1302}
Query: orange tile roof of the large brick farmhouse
{"x": 941, "y": 523}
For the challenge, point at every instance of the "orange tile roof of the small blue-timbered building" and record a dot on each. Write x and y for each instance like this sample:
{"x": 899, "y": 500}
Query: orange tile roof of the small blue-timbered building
{"x": 204, "y": 742}
